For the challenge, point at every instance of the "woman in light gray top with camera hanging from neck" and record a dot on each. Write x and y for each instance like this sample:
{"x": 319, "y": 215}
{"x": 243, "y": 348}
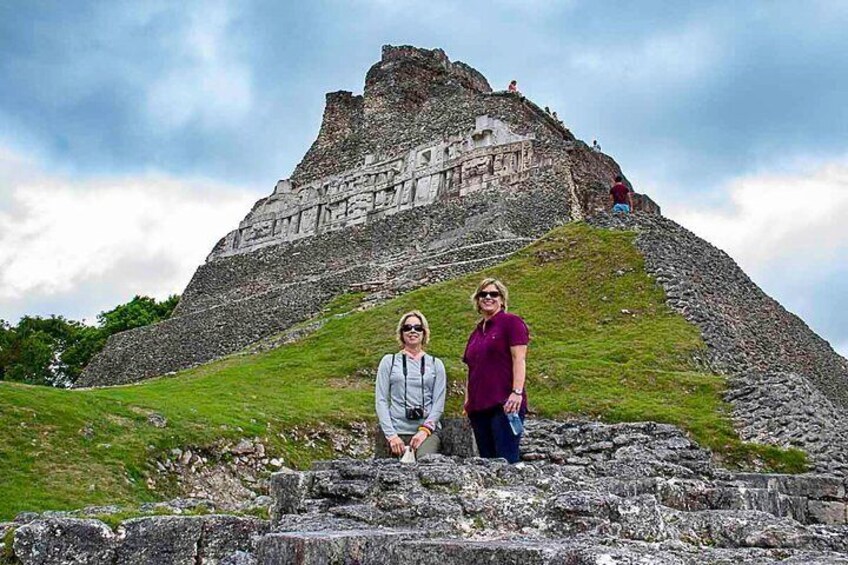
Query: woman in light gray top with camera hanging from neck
{"x": 410, "y": 390}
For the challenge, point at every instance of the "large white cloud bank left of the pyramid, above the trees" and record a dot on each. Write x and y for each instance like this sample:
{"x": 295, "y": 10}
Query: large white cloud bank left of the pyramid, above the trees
{"x": 119, "y": 235}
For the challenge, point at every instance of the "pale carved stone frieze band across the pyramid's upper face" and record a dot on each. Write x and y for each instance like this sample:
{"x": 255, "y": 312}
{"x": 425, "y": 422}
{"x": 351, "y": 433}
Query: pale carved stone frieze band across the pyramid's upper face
{"x": 490, "y": 155}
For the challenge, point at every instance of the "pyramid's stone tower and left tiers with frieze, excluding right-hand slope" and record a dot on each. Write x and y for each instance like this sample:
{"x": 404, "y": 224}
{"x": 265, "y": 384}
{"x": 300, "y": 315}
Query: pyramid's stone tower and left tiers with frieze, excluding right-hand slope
{"x": 427, "y": 175}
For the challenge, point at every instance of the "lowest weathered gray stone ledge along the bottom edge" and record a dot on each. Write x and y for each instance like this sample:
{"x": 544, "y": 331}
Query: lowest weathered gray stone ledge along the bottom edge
{"x": 381, "y": 547}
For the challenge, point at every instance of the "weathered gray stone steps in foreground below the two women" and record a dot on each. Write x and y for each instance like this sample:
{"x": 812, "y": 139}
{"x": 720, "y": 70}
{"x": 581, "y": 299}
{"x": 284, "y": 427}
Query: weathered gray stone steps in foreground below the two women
{"x": 585, "y": 493}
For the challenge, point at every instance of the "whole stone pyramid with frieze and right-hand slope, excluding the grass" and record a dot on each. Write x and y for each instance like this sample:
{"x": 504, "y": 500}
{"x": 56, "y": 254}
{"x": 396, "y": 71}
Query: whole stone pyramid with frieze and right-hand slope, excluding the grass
{"x": 428, "y": 175}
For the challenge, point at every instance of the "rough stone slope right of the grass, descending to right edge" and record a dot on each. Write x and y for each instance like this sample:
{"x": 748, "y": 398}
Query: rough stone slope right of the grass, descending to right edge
{"x": 787, "y": 385}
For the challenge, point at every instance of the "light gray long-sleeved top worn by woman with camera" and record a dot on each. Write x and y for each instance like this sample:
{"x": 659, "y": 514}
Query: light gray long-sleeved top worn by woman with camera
{"x": 389, "y": 398}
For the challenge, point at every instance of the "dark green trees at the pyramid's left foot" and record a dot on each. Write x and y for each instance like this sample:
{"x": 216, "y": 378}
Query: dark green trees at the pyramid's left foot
{"x": 54, "y": 351}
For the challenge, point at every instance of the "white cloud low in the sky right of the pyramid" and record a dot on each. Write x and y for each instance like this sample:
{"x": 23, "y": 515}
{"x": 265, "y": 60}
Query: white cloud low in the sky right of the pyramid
{"x": 777, "y": 219}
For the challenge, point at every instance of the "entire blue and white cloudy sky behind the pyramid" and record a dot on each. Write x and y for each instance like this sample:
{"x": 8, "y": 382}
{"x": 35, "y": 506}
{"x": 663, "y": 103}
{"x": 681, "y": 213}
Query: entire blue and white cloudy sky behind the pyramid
{"x": 133, "y": 135}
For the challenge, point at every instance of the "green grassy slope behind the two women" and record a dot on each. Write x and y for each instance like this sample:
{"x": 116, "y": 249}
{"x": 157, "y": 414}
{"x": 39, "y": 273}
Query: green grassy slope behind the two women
{"x": 603, "y": 345}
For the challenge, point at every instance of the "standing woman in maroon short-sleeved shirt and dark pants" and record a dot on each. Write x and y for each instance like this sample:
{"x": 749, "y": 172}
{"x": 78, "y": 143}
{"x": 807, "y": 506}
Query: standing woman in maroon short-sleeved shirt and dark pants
{"x": 495, "y": 355}
